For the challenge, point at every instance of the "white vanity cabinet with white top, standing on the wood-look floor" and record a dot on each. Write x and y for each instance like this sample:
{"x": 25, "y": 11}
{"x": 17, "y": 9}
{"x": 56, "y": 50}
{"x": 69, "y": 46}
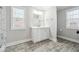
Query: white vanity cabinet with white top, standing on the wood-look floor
{"x": 40, "y": 33}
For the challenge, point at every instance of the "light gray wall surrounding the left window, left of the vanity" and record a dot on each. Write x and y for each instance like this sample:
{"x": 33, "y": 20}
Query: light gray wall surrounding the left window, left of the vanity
{"x": 16, "y": 35}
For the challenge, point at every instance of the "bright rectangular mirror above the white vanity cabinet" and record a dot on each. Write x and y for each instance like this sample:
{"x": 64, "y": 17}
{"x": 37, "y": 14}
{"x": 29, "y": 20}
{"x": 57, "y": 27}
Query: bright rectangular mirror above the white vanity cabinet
{"x": 38, "y": 17}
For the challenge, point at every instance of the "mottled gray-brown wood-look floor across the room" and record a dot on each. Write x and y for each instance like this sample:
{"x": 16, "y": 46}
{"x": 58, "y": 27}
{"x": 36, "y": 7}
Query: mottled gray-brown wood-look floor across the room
{"x": 45, "y": 46}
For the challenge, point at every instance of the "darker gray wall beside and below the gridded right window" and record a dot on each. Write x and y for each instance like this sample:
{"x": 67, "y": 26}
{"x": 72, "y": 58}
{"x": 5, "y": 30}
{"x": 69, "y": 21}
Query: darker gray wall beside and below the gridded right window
{"x": 62, "y": 30}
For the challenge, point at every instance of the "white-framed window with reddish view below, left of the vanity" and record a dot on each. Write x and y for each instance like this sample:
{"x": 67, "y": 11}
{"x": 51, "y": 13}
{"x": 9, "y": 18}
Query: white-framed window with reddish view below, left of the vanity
{"x": 17, "y": 18}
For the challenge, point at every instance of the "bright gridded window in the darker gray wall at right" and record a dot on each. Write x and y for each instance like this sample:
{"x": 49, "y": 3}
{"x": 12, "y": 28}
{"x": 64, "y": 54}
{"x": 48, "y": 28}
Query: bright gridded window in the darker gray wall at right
{"x": 72, "y": 17}
